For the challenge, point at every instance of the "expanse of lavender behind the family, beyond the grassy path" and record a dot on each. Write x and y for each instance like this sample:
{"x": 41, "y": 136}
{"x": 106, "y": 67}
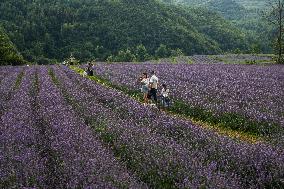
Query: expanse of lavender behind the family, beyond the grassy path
{"x": 253, "y": 91}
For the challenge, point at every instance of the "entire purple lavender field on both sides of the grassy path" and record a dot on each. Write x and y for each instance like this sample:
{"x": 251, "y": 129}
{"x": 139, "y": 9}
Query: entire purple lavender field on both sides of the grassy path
{"x": 61, "y": 130}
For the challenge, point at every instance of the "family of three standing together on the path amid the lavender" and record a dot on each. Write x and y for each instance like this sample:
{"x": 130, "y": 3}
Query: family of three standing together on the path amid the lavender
{"x": 150, "y": 90}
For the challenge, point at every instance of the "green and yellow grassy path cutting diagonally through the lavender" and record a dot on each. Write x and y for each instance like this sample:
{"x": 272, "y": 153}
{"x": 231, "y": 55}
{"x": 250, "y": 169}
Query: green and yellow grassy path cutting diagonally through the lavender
{"x": 228, "y": 124}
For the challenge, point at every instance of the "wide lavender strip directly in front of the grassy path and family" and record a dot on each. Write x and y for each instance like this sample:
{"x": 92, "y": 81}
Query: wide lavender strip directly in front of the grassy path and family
{"x": 169, "y": 145}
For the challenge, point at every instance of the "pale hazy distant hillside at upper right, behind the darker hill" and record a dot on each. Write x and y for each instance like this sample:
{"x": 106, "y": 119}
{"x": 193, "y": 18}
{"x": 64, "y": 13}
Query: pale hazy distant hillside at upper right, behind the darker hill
{"x": 246, "y": 15}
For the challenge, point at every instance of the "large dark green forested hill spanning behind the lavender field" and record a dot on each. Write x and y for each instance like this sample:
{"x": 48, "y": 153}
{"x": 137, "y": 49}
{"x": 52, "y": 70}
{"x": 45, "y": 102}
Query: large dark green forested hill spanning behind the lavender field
{"x": 97, "y": 29}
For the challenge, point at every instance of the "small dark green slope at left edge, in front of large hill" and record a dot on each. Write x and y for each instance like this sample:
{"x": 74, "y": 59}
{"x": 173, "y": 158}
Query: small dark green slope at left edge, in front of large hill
{"x": 8, "y": 52}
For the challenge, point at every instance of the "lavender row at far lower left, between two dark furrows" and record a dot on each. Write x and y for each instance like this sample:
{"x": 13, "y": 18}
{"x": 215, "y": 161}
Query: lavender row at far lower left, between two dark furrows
{"x": 20, "y": 162}
